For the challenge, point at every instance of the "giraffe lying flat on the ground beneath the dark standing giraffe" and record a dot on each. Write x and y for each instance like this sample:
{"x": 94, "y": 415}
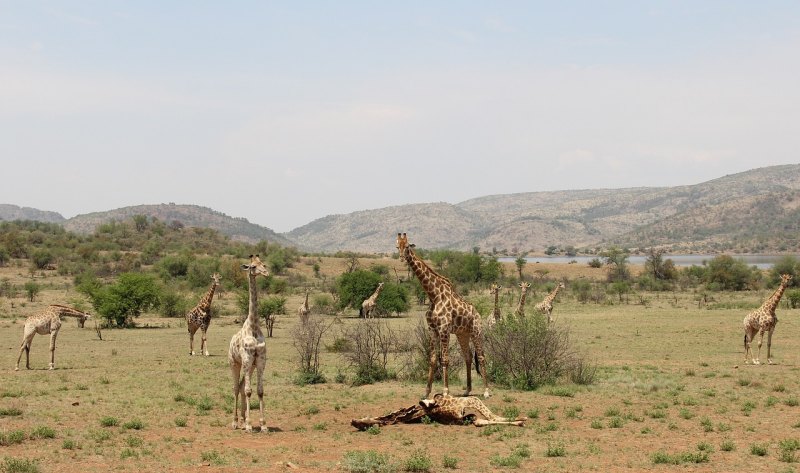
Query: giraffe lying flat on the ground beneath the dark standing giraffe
{"x": 444, "y": 409}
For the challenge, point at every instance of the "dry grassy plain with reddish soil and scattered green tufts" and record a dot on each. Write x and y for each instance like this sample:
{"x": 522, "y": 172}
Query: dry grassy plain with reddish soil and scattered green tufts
{"x": 671, "y": 389}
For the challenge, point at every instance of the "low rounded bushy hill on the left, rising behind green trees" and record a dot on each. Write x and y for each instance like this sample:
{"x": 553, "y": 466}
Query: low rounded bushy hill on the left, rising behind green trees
{"x": 189, "y": 215}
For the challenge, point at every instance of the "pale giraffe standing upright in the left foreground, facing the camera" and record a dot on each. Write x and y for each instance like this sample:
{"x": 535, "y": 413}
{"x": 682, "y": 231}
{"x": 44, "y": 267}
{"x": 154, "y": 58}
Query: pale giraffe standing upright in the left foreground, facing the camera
{"x": 248, "y": 351}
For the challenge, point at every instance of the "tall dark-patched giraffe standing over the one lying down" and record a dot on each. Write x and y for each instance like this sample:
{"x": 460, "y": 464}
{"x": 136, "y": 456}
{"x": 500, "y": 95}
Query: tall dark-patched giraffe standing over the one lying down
{"x": 448, "y": 313}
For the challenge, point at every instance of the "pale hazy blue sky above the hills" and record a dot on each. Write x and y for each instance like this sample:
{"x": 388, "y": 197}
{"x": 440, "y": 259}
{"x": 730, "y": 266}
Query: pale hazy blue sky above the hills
{"x": 285, "y": 112}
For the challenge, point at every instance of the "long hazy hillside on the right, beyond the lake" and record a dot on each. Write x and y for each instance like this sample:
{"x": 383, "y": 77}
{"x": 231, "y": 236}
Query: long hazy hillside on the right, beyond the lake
{"x": 680, "y": 217}
